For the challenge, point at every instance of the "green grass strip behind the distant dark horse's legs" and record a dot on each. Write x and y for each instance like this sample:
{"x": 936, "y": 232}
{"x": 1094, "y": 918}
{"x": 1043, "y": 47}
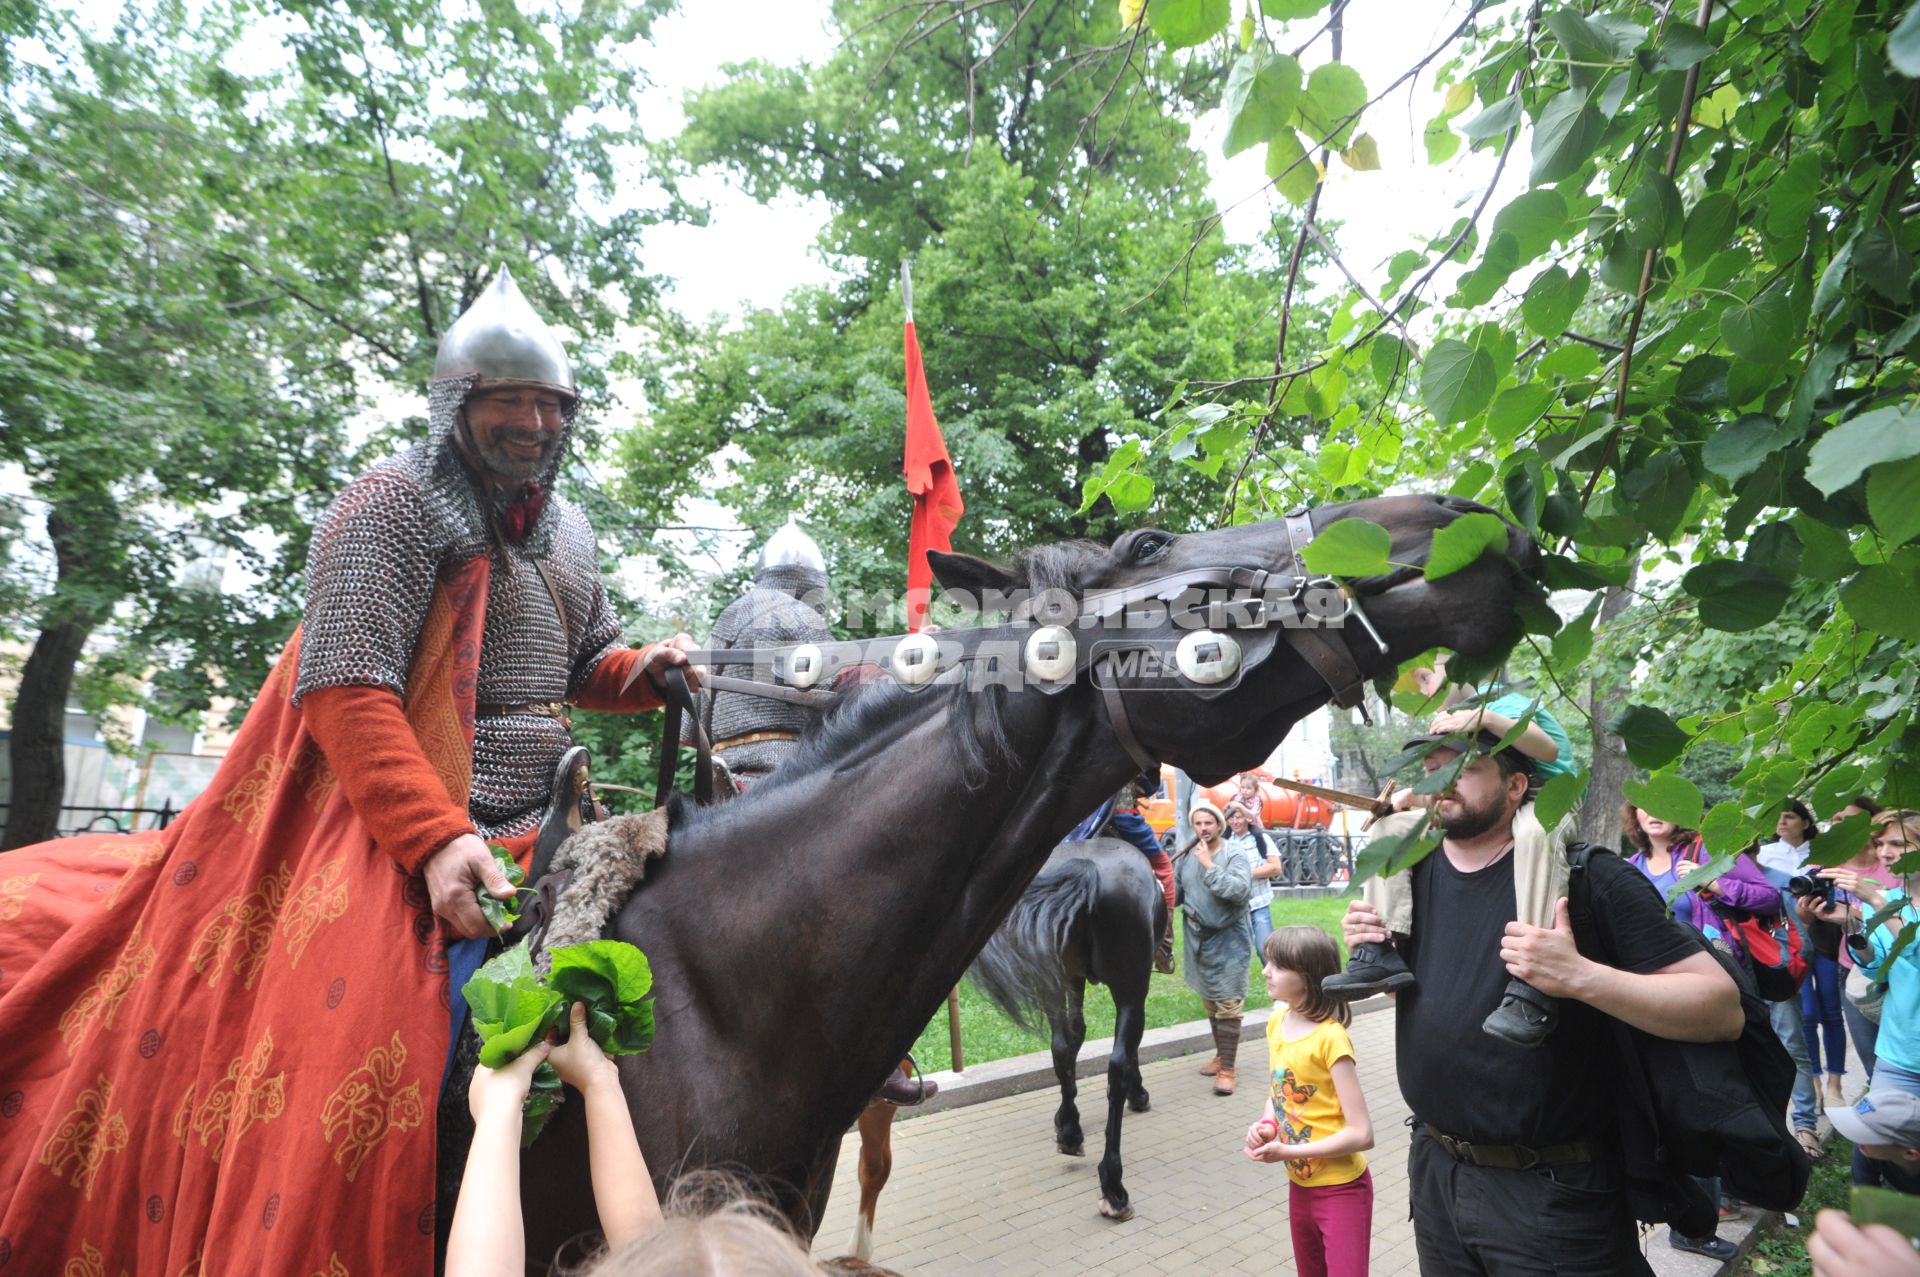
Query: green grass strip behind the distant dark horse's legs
{"x": 990, "y": 1036}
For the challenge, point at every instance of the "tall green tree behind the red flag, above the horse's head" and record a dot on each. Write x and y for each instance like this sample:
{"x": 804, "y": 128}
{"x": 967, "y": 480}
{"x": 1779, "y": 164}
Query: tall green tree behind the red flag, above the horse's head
{"x": 1055, "y": 295}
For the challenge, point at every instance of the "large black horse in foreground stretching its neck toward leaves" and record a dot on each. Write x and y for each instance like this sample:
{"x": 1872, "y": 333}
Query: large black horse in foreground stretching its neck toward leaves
{"x": 805, "y": 932}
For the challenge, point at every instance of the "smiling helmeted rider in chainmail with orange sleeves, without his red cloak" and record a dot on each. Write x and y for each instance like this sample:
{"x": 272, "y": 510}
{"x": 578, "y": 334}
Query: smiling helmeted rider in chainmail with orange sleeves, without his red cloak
{"x": 502, "y": 408}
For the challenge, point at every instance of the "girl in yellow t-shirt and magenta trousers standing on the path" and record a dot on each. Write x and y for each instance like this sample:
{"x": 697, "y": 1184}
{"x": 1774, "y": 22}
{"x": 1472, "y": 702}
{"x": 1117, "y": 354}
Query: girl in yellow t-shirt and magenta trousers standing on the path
{"x": 1316, "y": 1117}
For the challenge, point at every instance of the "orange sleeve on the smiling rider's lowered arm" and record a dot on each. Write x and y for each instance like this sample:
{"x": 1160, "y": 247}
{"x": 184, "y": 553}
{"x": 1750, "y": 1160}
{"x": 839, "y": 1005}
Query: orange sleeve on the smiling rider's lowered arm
{"x": 387, "y": 779}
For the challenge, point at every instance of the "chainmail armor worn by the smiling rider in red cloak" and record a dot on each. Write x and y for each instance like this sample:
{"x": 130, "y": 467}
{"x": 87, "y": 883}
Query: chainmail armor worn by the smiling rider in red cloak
{"x": 377, "y": 554}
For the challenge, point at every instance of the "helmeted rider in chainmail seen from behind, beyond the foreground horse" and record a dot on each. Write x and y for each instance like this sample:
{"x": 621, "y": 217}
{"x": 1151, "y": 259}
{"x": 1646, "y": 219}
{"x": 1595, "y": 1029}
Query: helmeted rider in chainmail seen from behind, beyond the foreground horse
{"x": 754, "y": 735}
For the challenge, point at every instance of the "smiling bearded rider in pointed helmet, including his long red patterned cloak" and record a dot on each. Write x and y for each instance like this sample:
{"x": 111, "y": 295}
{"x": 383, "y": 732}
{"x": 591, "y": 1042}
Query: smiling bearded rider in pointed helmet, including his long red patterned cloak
{"x": 222, "y": 1046}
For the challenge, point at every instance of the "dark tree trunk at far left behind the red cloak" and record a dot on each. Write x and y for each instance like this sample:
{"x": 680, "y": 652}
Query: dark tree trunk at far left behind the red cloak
{"x": 37, "y": 750}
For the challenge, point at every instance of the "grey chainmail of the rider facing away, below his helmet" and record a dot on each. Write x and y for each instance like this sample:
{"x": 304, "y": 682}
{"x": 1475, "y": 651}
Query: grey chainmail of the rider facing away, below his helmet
{"x": 777, "y": 612}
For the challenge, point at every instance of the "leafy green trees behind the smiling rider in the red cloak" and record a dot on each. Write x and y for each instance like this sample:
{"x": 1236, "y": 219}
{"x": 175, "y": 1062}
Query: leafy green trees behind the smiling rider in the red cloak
{"x": 212, "y": 260}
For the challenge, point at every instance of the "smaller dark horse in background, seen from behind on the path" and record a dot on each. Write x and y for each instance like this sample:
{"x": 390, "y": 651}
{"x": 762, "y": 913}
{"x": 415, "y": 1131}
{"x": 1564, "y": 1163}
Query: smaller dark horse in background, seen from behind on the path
{"x": 1092, "y": 915}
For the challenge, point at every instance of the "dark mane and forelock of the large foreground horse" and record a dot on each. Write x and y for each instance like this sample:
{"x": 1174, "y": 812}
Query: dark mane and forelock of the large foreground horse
{"x": 869, "y": 717}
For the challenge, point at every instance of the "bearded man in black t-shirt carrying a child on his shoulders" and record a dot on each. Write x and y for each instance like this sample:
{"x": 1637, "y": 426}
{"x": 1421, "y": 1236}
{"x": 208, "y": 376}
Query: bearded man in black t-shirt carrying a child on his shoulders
{"x": 1514, "y": 1167}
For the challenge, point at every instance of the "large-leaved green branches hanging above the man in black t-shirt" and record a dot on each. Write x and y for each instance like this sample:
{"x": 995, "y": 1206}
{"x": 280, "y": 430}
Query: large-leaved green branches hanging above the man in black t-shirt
{"x": 1687, "y": 360}
